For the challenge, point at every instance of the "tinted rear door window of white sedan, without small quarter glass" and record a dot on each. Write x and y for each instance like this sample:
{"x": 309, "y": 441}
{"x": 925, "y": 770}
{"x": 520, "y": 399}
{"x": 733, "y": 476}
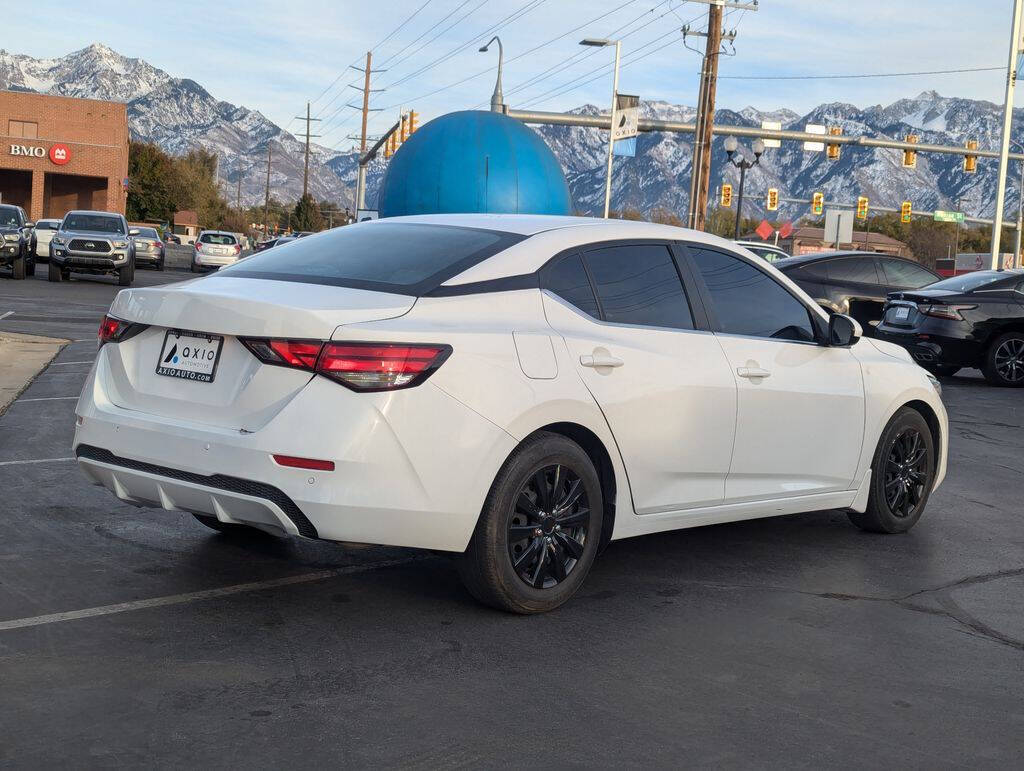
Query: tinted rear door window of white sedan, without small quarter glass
{"x": 639, "y": 284}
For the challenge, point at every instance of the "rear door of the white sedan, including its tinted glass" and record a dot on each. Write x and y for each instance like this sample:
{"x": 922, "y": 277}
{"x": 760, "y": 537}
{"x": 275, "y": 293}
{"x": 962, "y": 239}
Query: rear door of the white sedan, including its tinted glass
{"x": 663, "y": 383}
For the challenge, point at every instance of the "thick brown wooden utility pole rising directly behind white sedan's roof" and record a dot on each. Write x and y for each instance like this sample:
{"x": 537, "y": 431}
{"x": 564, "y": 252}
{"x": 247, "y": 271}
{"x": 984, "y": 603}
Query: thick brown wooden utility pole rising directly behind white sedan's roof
{"x": 701, "y": 167}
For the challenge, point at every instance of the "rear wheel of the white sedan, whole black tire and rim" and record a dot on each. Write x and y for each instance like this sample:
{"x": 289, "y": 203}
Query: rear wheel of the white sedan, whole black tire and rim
{"x": 525, "y": 560}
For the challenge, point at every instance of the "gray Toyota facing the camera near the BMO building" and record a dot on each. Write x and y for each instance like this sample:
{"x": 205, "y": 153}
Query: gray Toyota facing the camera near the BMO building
{"x": 98, "y": 243}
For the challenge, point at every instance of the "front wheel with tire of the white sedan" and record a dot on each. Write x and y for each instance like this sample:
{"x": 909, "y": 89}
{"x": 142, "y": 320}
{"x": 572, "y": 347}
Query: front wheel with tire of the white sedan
{"x": 903, "y": 476}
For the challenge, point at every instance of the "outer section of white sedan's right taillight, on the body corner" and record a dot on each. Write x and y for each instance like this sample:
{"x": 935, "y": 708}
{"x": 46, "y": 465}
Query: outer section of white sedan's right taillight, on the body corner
{"x": 380, "y": 367}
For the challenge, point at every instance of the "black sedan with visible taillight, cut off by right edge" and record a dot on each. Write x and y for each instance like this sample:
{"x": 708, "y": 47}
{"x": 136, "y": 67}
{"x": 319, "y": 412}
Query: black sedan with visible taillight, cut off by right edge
{"x": 976, "y": 320}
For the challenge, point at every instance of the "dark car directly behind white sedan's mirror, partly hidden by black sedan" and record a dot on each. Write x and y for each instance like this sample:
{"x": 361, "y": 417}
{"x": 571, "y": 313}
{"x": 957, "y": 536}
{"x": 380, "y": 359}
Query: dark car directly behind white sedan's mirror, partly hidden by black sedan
{"x": 856, "y": 283}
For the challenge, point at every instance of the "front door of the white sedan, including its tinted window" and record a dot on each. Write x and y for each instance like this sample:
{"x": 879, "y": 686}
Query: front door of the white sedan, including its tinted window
{"x": 800, "y": 414}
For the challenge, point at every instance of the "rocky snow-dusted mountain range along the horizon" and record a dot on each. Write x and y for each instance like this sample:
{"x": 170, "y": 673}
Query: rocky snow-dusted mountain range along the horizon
{"x": 179, "y": 114}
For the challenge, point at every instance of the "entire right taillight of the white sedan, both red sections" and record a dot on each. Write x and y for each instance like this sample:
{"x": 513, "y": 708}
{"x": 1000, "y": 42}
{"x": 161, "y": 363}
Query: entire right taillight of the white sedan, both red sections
{"x": 362, "y": 367}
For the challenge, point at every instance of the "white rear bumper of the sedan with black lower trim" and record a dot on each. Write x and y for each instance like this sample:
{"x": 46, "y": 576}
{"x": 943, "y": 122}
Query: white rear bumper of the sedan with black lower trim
{"x": 412, "y": 468}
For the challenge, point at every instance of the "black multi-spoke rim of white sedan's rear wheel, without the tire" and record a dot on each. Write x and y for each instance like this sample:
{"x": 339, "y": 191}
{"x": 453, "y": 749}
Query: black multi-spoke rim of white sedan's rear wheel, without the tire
{"x": 548, "y": 527}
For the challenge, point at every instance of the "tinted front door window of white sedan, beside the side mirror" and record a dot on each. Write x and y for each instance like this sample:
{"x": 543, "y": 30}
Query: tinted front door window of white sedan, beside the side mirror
{"x": 748, "y": 302}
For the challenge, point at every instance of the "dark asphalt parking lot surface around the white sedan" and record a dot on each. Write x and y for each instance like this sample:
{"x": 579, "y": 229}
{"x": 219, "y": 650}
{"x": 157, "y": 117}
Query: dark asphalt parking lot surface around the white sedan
{"x": 132, "y": 637}
